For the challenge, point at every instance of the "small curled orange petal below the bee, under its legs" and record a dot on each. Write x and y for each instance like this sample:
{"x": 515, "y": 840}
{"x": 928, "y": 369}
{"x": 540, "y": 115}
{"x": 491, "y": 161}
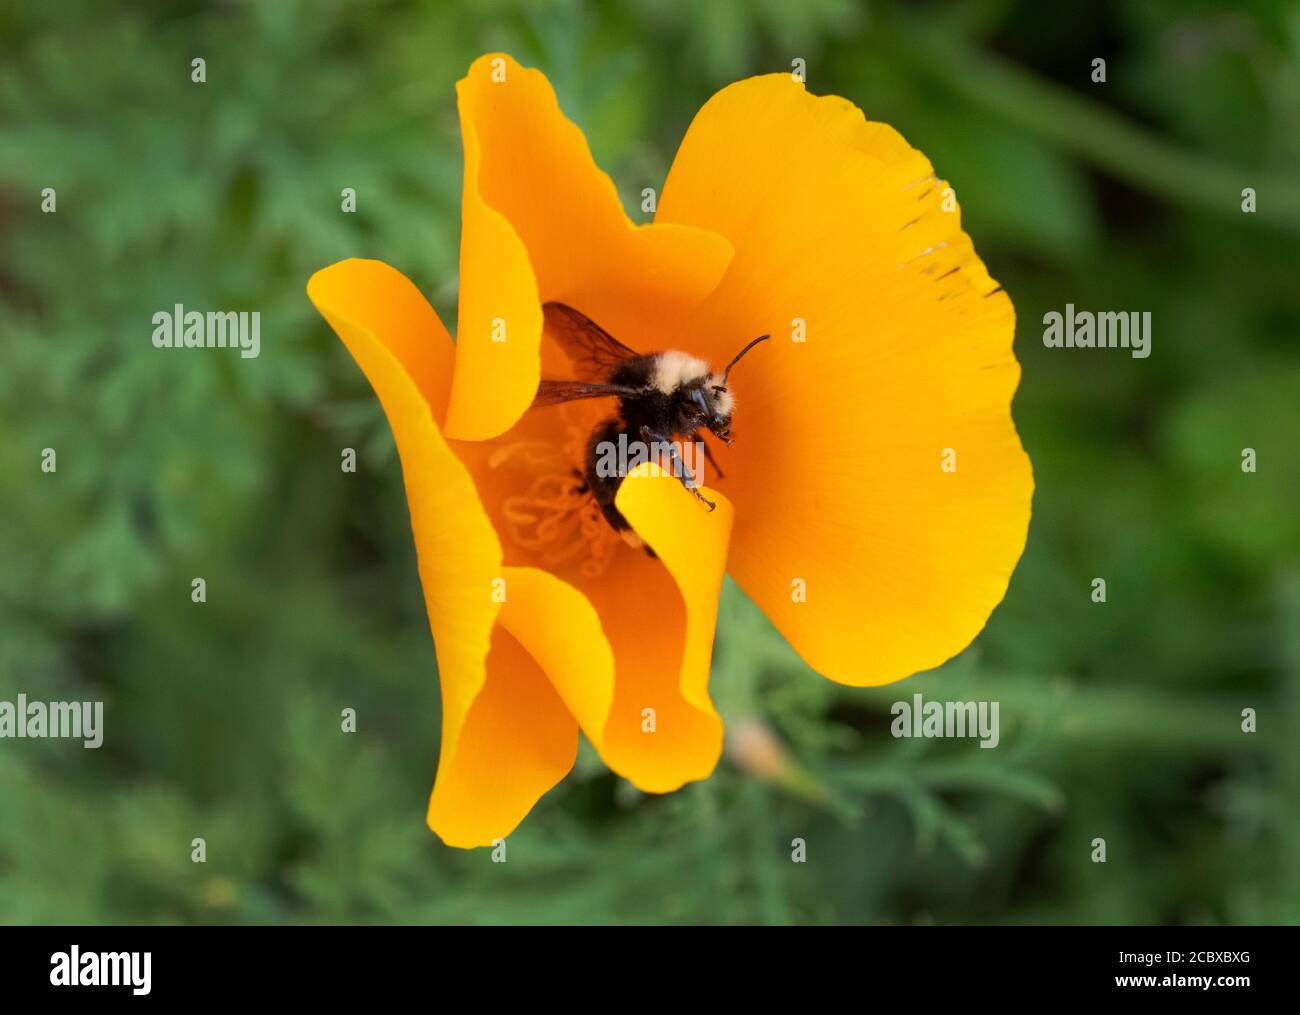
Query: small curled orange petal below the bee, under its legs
{"x": 638, "y": 639}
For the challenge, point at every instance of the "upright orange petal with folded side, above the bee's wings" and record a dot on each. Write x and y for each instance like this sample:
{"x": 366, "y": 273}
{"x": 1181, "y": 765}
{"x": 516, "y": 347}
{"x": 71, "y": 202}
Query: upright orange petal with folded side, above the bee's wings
{"x": 540, "y": 222}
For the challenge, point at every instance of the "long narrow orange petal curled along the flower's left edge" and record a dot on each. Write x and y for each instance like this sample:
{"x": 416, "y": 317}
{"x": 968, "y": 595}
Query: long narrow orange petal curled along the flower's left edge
{"x": 506, "y": 738}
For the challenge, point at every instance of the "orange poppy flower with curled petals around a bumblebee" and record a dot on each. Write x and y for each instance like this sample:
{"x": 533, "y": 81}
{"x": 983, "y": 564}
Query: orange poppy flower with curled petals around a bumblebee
{"x": 876, "y": 501}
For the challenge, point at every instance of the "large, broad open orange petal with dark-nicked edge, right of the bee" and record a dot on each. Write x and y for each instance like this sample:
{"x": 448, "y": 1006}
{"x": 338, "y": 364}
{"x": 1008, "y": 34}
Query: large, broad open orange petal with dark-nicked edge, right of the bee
{"x": 846, "y": 238}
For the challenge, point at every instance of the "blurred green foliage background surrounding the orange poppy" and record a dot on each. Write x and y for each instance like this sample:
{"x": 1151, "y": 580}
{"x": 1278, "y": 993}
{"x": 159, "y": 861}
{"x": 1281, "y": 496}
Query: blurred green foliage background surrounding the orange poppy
{"x": 1119, "y": 721}
